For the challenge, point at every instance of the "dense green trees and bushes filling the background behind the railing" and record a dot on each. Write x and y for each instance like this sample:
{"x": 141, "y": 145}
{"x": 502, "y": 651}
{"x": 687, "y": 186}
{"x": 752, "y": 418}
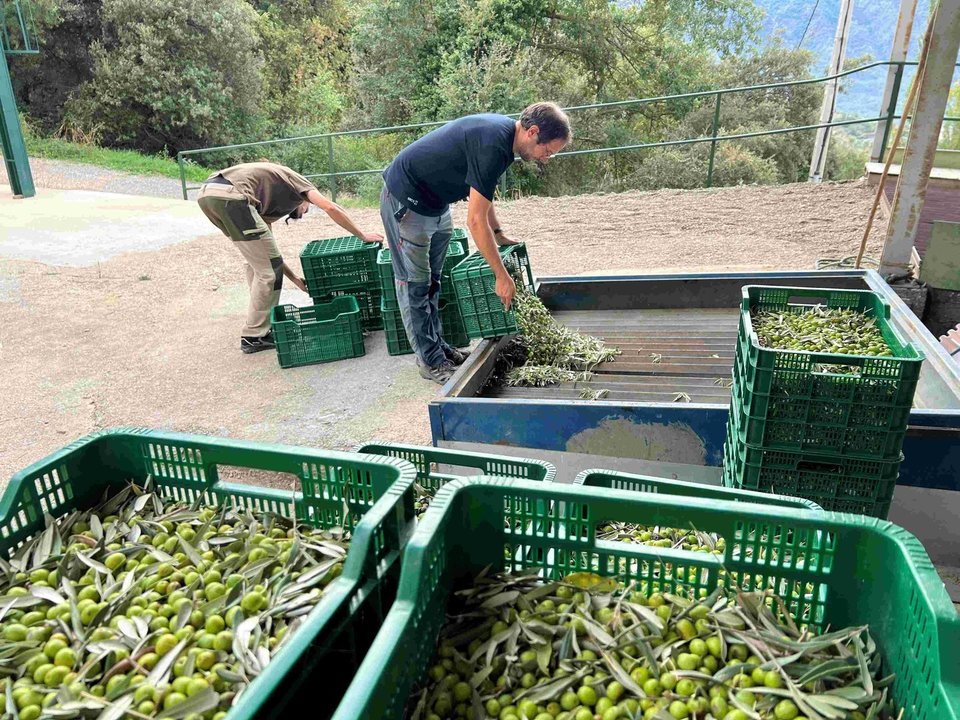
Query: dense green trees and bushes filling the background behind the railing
{"x": 161, "y": 76}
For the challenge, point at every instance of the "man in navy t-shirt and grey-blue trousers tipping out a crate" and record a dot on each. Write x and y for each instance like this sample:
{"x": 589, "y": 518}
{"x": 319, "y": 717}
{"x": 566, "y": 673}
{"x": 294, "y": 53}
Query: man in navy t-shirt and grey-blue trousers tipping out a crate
{"x": 462, "y": 159}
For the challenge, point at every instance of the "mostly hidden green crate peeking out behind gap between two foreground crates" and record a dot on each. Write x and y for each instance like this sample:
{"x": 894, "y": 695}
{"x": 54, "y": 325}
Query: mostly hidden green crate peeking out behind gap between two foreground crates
{"x": 427, "y": 460}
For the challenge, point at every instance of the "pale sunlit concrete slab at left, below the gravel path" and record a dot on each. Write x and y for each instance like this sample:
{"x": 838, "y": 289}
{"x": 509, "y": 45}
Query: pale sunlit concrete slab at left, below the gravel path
{"x": 77, "y": 228}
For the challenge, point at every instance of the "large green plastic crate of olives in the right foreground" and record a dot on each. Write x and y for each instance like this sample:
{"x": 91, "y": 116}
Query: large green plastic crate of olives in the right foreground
{"x": 860, "y": 571}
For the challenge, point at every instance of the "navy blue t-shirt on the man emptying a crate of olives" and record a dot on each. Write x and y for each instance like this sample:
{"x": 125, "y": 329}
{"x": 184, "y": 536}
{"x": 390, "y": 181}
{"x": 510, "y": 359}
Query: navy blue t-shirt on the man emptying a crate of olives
{"x": 442, "y": 166}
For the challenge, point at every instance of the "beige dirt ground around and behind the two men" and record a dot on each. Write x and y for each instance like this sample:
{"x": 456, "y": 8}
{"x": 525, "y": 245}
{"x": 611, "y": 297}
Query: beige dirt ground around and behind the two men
{"x": 150, "y": 338}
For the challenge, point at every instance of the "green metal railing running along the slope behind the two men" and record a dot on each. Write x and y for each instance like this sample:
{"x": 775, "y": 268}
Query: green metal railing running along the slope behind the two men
{"x": 714, "y": 139}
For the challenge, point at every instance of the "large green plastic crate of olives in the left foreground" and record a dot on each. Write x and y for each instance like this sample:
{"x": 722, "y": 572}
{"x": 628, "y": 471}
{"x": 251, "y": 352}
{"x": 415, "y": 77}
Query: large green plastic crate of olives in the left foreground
{"x": 373, "y": 496}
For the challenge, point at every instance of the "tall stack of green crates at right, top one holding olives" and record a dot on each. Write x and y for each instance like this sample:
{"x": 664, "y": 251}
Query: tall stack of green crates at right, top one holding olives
{"x": 825, "y": 426}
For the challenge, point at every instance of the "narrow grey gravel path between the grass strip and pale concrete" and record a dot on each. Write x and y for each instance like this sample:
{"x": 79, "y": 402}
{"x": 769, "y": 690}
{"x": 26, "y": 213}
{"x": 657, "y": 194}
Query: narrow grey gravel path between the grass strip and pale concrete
{"x": 64, "y": 175}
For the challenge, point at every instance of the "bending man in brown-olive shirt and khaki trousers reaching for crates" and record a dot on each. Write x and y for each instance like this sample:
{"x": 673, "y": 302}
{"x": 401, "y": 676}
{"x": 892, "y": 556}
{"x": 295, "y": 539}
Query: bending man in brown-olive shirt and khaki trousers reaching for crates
{"x": 243, "y": 201}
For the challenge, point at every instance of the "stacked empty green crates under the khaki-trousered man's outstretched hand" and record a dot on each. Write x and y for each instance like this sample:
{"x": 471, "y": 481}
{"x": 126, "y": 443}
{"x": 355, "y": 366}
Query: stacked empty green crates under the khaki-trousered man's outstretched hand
{"x": 344, "y": 266}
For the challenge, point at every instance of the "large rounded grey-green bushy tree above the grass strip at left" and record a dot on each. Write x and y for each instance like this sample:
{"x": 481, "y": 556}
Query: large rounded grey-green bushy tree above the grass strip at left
{"x": 172, "y": 74}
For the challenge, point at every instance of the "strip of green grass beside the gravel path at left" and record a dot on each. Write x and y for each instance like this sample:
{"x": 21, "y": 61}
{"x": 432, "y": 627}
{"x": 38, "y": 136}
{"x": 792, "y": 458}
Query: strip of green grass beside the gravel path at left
{"x": 123, "y": 160}
